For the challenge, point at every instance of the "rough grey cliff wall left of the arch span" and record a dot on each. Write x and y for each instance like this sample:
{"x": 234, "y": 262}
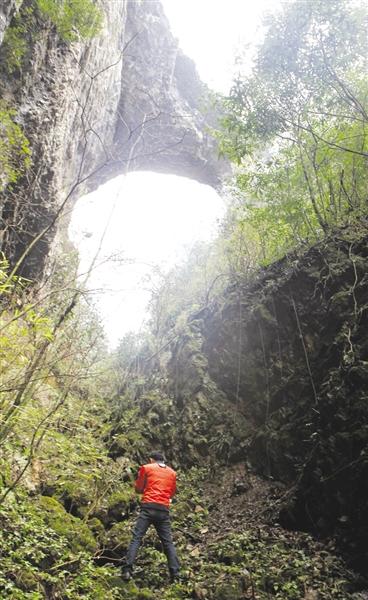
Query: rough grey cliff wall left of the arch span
{"x": 68, "y": 113}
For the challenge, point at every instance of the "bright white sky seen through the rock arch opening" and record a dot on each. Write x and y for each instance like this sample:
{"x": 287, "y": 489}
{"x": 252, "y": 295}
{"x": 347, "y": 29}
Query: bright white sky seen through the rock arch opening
{"x": 141, "y": 221}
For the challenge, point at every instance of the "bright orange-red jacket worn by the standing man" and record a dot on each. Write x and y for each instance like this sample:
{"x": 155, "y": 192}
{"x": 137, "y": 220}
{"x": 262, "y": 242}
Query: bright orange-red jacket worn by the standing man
{"x": 157, "y": 483}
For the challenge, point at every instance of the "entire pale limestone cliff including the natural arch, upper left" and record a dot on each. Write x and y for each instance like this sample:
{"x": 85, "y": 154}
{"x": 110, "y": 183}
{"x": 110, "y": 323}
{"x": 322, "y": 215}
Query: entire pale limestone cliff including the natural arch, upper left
{"x": 126, "y": 100}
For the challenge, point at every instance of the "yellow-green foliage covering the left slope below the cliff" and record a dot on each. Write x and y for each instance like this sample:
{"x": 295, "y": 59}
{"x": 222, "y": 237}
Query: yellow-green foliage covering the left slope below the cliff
{"x": 53, "y": 431}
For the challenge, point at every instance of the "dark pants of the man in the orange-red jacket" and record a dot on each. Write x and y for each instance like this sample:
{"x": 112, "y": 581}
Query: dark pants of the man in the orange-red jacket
{"x": 161, "y": 520}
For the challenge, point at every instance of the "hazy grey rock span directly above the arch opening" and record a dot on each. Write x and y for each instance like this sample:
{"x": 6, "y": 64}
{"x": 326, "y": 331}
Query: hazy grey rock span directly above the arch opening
{"x": 161, "y": 127}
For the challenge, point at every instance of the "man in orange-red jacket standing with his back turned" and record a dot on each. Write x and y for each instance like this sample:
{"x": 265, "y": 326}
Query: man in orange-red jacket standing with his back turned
{"x": 157, "y": 482}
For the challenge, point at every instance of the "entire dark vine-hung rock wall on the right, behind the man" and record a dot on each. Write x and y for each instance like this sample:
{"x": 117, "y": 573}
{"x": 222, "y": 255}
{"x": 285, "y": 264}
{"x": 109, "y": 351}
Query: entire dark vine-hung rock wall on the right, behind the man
{"x": 274, "y": 374}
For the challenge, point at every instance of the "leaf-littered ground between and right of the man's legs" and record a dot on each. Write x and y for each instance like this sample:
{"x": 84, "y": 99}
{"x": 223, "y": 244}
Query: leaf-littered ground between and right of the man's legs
{"x": 232, "y": 547}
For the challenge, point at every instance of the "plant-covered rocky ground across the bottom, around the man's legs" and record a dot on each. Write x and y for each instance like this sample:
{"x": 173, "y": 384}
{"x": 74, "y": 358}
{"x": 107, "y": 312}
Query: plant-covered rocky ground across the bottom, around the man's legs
{"x": 225, "y": 523}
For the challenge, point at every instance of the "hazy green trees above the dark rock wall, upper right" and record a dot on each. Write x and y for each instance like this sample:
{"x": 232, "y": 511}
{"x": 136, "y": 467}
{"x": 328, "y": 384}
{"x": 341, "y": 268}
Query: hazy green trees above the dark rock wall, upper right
{"x": 296, "y": 126}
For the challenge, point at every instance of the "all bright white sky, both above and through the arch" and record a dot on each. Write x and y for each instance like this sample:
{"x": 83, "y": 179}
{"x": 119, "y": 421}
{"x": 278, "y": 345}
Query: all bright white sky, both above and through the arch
{"x": 147, "y": 220}
